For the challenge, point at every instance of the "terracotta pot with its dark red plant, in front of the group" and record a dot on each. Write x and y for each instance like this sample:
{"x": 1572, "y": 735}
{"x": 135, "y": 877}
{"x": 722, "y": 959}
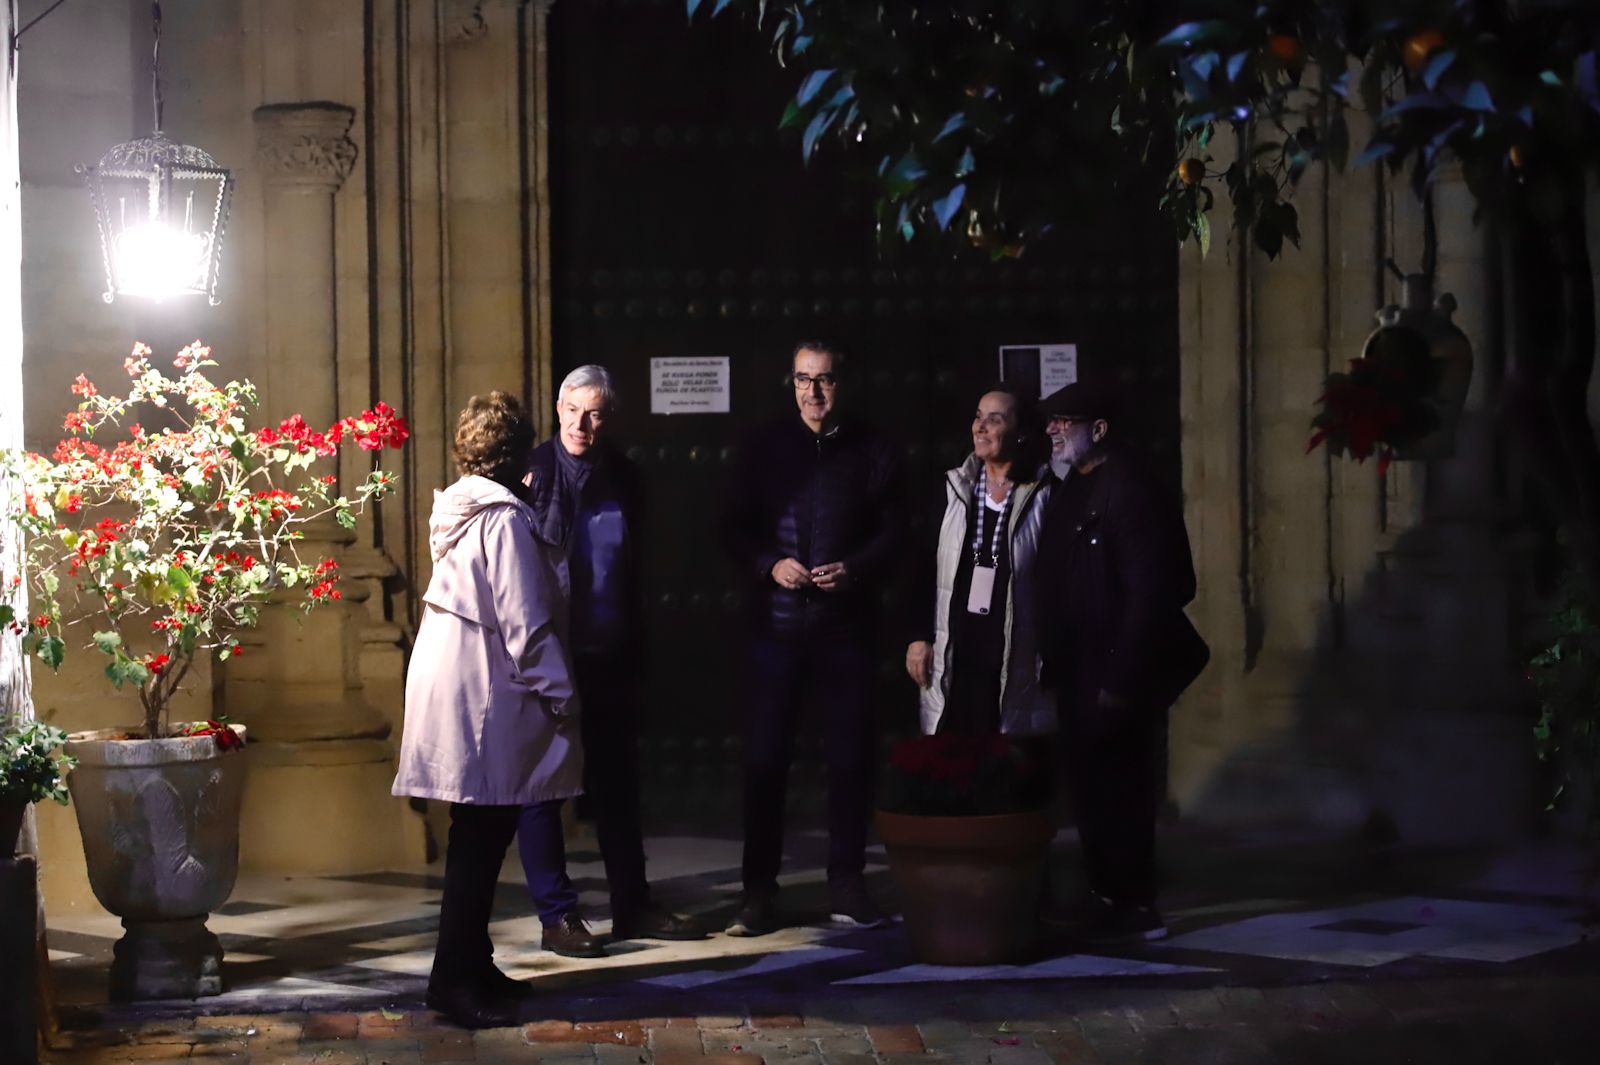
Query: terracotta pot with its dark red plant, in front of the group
{"x": 967, "y": 828}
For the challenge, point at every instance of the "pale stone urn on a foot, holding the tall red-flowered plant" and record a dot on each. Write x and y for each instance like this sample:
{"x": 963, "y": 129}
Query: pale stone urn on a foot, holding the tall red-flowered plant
{"x": 161, "y": 834}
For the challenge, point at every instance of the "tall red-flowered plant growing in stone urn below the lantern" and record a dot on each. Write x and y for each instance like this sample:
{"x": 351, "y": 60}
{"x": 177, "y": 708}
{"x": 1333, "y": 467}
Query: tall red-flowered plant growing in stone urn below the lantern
{"x": 162, "y": 524}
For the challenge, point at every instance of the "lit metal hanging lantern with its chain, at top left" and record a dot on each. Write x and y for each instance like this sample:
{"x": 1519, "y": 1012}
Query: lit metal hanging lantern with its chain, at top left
{"x": 161, "y": 209}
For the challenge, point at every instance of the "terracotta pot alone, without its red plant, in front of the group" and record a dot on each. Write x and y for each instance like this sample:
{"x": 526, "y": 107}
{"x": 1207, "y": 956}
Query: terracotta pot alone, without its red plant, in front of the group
{"x": 969, "y": 887}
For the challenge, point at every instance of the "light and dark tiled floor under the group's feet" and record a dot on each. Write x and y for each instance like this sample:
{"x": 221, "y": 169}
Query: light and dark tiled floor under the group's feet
{"x": 366, "y": 941}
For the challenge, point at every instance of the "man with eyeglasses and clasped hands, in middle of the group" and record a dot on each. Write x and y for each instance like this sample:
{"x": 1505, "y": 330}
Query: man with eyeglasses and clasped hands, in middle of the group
{"x": 814, "y": 519}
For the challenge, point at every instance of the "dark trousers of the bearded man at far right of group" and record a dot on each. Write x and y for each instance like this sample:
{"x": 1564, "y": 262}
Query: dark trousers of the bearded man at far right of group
{"x": 1113, "y": 764}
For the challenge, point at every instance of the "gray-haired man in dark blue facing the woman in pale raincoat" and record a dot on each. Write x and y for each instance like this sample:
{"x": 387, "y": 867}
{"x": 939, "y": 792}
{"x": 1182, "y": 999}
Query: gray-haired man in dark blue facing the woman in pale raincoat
{"x": 590, "y": 497}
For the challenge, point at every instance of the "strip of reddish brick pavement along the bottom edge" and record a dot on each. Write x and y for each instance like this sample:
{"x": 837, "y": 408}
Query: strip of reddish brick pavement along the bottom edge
{"x": 1540, "y": 1015}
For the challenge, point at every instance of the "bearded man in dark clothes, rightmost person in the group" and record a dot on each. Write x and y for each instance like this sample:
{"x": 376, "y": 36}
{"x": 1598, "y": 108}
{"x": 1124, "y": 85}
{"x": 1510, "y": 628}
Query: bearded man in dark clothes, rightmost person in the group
{"x": 1113, "y": 580}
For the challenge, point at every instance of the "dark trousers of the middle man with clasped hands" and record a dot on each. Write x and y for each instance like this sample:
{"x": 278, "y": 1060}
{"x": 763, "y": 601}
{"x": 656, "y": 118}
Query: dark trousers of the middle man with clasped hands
{"x": 786, "y": 677}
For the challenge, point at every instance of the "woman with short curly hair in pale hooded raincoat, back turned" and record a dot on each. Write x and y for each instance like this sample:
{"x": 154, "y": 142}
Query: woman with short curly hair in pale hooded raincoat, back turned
{"x": 490, "y": 714}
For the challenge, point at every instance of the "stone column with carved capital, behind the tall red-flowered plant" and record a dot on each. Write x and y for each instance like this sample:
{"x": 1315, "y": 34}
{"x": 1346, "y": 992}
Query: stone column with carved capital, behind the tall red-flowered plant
{"x": 298, "y": 685}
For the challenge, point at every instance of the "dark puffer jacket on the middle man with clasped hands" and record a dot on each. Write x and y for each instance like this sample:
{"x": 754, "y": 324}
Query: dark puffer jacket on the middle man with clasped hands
{"x": 818, "y": 500}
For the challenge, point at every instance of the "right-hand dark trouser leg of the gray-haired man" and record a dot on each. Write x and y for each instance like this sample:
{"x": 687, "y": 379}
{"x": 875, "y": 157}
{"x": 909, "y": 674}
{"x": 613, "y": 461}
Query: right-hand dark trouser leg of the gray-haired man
{"x": 610, "y": 732}
